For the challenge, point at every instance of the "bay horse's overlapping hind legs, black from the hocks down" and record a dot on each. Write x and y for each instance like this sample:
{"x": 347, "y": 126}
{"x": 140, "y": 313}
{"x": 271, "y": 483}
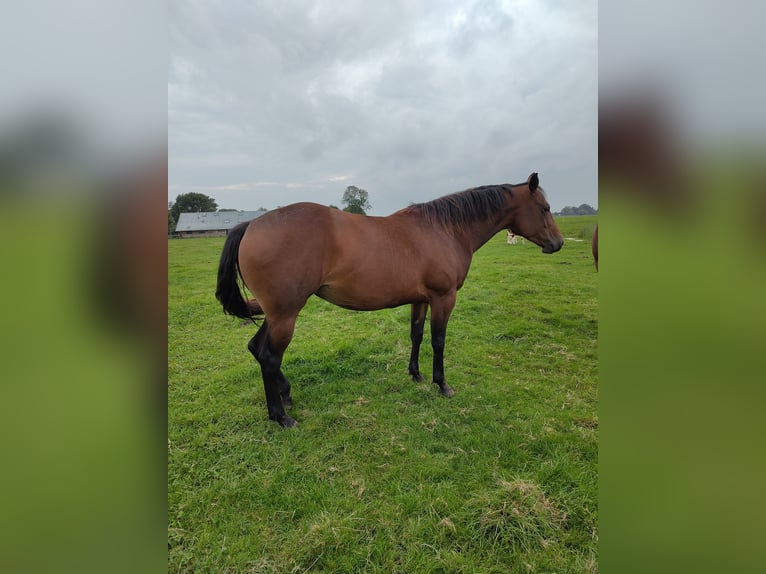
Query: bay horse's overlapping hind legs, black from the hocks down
{"x": 268, "y": 347}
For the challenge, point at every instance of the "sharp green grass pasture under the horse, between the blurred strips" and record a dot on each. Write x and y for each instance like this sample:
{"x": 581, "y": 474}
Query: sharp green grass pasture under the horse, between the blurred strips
{"x": 383, "y": 474}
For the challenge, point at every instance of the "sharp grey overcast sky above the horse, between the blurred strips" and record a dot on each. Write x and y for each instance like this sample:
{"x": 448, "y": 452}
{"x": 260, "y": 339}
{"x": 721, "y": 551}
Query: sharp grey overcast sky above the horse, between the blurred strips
{"x": 274, "y": 102}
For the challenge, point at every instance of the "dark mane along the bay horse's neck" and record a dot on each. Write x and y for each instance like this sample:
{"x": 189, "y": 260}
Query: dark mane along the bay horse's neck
{"x": 461, "y": 208}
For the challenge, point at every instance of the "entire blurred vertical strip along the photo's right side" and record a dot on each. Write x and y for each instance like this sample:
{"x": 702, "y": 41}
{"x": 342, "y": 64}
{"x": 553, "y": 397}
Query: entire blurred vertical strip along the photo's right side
{"x": 682, "y": 324}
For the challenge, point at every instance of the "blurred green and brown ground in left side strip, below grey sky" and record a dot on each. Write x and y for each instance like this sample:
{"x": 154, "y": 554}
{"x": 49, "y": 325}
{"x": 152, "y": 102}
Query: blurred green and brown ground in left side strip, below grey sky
{"x": 83, "y": 395}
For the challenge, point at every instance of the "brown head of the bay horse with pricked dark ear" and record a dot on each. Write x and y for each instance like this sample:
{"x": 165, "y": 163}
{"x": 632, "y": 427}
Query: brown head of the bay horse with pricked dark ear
{"x": 530, "y": 216}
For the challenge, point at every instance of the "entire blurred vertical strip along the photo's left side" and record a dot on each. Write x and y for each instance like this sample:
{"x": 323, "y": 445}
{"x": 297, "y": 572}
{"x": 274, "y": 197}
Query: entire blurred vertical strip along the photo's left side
{"x": 83, "y": 243}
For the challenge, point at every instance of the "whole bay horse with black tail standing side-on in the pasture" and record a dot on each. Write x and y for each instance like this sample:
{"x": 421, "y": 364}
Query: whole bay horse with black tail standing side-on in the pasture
{"x": 419, "y": 256}
